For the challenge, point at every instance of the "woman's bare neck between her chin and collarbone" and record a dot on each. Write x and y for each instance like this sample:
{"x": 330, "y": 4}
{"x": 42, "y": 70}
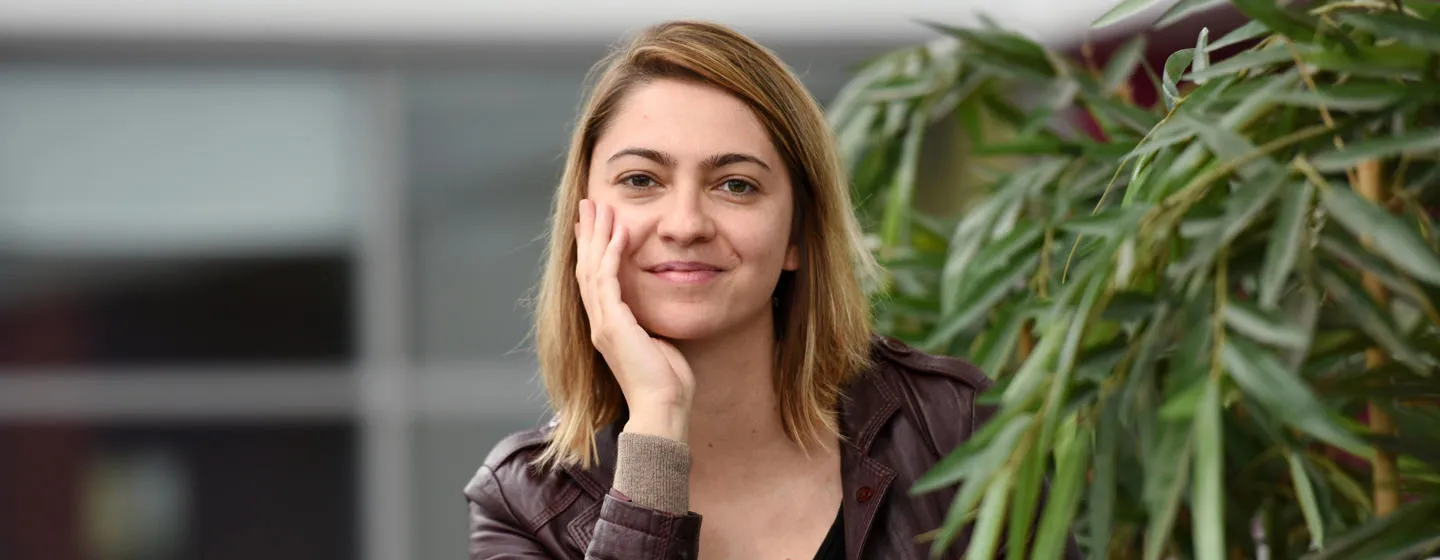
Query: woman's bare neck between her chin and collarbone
{"x": 735, "y": 404}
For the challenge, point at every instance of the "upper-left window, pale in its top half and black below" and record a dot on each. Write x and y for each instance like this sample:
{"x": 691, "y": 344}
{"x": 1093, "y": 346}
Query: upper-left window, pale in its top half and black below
{"x": 176, "y": 214}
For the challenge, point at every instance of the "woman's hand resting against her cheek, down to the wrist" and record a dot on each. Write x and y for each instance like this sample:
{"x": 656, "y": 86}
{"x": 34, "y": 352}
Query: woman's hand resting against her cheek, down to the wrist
{"x": 656, "y": 379}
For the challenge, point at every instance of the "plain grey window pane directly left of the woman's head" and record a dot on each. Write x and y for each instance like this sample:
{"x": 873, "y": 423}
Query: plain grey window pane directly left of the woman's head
{"x": 485, "y": 150}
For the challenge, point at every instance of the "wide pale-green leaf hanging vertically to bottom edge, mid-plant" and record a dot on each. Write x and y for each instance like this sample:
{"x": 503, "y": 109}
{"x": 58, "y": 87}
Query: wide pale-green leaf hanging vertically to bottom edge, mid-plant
{"x": 1209, "y": 492}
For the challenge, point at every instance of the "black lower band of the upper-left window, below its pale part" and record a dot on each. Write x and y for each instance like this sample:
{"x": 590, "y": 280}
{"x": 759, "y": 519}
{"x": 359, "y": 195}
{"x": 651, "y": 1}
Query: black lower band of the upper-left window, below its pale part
{"x": 195, "y": 312}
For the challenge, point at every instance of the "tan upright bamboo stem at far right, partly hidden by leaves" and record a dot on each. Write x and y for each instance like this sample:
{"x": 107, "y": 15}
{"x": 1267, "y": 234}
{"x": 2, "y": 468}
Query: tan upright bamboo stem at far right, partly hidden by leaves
{"x": 1385, "y": 476}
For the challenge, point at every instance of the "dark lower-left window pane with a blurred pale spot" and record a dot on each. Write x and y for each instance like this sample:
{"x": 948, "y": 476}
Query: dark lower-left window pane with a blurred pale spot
{"x": 161, "y": 493}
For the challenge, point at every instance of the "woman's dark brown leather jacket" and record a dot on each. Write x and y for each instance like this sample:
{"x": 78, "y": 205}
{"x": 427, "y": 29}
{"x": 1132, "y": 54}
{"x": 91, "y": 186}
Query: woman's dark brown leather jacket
{"x": 898, "y": 420}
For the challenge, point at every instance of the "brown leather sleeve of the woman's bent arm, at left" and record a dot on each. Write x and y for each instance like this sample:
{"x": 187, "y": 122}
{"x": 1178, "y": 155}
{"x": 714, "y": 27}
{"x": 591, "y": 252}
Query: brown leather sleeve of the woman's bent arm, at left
{"x": 624, "y": 530}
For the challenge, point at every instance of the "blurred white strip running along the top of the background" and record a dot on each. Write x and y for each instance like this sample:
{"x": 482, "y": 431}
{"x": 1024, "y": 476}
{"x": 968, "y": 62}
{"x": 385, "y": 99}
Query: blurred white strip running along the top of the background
{"x": 522, "y": 21}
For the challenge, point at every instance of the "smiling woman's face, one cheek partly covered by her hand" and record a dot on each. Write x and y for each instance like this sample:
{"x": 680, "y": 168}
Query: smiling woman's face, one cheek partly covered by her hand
{"x": 706, "y": 202}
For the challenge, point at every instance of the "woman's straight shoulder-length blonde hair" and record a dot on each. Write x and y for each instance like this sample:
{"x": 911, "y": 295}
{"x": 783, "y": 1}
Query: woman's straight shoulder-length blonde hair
{"x": 823, "y": 315}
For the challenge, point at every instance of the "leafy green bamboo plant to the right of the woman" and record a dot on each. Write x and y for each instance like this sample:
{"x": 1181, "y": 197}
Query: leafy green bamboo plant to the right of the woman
{"x": 1212, "y": 322}
